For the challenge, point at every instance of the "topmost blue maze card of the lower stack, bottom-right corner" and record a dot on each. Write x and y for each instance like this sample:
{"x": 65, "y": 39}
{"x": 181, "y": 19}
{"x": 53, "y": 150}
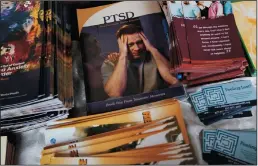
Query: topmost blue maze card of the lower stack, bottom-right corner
{"x": 234, "y": 147}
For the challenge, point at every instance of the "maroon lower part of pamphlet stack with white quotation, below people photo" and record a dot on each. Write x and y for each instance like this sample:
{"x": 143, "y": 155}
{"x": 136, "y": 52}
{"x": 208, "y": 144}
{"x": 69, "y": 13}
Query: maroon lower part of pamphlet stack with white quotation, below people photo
{"x": 206, "y": 50}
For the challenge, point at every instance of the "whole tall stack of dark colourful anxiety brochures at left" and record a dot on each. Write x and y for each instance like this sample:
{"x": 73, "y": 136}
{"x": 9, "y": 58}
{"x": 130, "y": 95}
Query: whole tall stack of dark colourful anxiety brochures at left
{"x": 35, "y": 65}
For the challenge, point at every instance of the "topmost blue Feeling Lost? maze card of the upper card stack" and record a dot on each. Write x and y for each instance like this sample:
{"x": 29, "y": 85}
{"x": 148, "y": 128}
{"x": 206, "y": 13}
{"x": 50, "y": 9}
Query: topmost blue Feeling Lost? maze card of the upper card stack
{"x": 231, "y": 95}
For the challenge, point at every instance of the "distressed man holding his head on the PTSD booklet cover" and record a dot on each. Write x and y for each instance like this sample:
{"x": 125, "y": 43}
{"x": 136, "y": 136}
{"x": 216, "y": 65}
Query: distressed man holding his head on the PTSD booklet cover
{"x": 137, "y": 68}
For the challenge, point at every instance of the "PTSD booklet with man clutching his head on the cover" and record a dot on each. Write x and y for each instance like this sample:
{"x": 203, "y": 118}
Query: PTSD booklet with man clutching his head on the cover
{"x": 124, "y": 52}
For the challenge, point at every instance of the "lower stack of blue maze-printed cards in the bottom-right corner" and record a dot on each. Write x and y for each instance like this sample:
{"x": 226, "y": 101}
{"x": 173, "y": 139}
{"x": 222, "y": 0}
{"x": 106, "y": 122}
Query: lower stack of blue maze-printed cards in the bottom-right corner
{"x": 231, "y": 147}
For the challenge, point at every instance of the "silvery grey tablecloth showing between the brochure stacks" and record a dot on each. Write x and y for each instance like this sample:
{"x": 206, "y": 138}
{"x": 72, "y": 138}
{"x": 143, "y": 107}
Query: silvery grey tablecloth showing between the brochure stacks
{"x": 30, "y": 144}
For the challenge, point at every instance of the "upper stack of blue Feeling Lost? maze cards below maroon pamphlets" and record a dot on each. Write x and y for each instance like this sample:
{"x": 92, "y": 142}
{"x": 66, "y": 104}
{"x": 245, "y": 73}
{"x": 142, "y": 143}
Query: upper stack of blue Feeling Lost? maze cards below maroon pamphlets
{"x": 227, "y": 100}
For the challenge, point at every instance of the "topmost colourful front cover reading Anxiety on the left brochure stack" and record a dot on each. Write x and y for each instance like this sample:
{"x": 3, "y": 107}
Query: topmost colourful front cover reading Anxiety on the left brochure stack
{"x": 21, "y": 49}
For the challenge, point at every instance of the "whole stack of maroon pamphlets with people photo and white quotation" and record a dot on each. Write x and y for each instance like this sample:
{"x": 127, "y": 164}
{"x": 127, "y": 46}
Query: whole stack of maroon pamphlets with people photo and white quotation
{"x": 205, "y": 43}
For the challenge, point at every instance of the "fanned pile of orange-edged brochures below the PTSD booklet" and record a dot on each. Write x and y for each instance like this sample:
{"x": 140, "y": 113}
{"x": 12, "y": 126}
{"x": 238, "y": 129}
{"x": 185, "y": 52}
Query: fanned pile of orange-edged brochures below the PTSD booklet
{"x": 154, "y": 133}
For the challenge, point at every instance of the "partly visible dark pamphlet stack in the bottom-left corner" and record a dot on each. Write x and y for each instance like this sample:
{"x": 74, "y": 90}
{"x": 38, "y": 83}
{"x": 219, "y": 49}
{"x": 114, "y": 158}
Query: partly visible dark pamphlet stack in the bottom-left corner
{"x": 7, "y": 151}
